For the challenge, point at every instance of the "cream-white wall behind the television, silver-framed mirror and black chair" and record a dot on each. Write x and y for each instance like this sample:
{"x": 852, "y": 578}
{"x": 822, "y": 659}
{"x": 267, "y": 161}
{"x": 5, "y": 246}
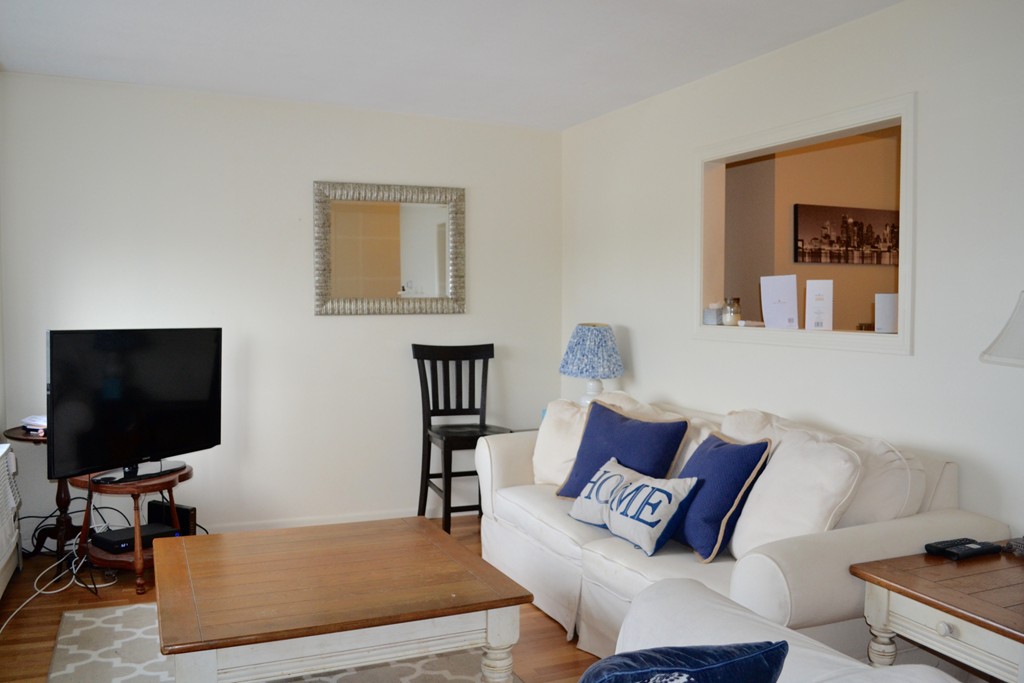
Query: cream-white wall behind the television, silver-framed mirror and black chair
{"x": 135, "y": 207}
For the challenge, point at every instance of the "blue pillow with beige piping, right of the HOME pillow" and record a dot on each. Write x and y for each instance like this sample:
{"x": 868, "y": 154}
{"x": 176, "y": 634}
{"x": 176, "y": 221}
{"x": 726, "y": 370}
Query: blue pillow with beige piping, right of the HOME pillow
{"x": 728, "y": 473}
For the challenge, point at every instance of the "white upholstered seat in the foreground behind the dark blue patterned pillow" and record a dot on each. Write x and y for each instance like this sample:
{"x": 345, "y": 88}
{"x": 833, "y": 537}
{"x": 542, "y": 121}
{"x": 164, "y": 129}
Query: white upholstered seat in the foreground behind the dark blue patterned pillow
{"x": 685, "y": 613}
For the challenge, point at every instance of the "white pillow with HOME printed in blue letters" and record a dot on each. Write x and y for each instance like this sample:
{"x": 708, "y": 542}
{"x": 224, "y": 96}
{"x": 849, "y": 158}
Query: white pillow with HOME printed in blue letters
{"x": 644, "y": 510}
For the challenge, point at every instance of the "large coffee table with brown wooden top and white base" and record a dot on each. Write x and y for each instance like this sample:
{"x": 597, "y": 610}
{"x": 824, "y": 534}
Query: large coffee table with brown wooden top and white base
{"x": 282, "y": 603}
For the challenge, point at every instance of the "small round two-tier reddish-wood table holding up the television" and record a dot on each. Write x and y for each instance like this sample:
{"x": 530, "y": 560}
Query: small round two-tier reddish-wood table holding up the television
{"x": 141, "y": 559}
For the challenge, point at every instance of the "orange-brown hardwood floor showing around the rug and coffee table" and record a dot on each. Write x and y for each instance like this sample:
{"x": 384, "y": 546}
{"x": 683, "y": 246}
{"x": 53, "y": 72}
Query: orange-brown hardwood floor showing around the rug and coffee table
{"x": 543, "y": 655}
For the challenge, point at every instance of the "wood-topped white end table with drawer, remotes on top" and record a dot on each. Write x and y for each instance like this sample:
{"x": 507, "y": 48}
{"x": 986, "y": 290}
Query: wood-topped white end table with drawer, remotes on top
{"x": 971, "y": 611}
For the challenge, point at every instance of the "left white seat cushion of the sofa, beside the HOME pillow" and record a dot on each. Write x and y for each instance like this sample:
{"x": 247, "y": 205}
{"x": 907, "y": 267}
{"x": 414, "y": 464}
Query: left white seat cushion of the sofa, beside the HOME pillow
{"x": 536, "y": 511}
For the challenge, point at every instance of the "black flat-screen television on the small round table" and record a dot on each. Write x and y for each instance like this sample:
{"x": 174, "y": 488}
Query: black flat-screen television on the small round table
{"x": 126, "y": 400}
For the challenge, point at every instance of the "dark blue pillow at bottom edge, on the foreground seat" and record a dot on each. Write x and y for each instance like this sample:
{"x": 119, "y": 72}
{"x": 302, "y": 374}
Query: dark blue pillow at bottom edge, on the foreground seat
{"x": 743, "y": 663}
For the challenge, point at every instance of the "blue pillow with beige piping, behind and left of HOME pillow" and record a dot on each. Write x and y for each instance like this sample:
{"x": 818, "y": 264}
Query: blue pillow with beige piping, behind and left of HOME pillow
{"x": 645, "y": 447}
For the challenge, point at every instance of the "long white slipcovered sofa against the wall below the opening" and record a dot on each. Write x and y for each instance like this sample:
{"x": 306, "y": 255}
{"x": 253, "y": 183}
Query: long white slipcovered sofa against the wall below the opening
{"x": 585, "y": 578}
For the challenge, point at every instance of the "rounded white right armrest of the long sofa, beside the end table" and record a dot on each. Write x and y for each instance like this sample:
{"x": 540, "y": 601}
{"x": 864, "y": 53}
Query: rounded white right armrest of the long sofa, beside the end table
{"x": 805, "y": 581}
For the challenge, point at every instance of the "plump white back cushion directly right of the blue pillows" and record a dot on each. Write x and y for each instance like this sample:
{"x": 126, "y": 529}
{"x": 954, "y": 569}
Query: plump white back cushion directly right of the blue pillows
{"x": 805, "y": 489}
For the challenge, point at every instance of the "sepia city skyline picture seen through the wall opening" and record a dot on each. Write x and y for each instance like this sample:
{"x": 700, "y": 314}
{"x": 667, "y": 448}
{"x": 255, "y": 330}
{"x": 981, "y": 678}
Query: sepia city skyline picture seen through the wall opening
{"x": 842, "y": 235}
